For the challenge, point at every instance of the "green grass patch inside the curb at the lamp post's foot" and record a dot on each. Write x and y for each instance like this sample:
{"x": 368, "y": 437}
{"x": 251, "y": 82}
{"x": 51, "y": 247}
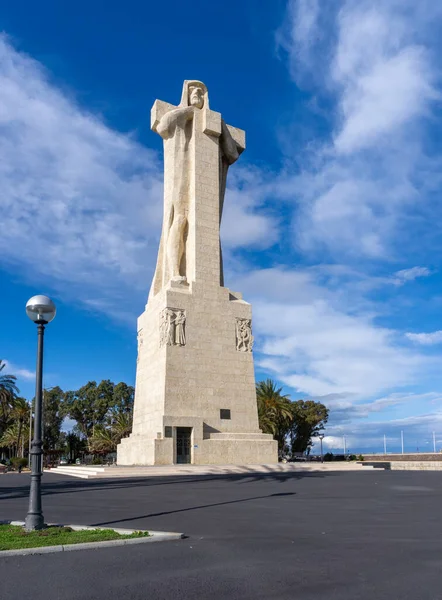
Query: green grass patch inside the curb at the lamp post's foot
{"x": 14, "y": 537}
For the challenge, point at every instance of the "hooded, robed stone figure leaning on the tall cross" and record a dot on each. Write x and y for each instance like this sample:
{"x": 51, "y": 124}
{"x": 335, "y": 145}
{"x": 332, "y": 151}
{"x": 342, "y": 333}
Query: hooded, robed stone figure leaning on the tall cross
{"x": 176, "y": 125}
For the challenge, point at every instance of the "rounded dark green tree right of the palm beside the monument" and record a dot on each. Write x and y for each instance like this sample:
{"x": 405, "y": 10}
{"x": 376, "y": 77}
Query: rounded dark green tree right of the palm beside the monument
{"x": 309, "y": 419}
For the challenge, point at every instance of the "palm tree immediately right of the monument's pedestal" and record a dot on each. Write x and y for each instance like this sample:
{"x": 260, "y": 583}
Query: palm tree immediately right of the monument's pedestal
{"x": 274, "y": 410}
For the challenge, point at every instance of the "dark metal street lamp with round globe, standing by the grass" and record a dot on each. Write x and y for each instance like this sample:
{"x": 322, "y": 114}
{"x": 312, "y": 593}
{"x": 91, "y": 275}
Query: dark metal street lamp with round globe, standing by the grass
{"x": 41, "y": 310}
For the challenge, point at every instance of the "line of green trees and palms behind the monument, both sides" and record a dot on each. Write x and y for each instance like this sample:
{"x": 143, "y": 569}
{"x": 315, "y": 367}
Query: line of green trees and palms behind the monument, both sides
{"x": 101, "y": 415}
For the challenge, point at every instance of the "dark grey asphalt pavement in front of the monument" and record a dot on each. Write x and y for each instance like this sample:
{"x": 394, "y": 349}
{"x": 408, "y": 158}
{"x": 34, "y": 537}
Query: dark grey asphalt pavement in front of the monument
{"x": 346, "y": 536}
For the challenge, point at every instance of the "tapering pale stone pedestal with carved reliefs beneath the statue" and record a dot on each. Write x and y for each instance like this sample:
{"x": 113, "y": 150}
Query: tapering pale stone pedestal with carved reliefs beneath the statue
{"x": 195, "y": 397}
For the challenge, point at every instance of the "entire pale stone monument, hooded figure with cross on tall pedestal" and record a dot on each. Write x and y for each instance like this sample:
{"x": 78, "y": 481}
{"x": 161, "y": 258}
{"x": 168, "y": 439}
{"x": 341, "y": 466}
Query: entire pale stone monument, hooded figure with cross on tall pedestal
{"x": 195, "y": 399}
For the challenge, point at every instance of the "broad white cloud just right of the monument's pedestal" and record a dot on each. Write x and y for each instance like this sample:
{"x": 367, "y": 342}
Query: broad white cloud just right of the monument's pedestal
{"x": 315, "y": 343}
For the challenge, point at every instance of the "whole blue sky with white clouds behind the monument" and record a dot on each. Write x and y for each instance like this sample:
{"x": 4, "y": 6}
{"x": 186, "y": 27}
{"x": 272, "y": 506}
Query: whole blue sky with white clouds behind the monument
{"x": 332, "y": 217}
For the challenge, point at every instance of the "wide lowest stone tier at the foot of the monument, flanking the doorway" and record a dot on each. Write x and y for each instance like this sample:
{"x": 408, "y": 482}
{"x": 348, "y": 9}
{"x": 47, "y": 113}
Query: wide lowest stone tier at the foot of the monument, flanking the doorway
{"x": 219, "y": 449}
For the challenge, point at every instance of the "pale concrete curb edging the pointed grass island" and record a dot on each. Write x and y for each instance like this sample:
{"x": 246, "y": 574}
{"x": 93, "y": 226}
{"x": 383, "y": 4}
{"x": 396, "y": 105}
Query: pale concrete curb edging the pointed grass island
{"x": 154, "y": 536}
